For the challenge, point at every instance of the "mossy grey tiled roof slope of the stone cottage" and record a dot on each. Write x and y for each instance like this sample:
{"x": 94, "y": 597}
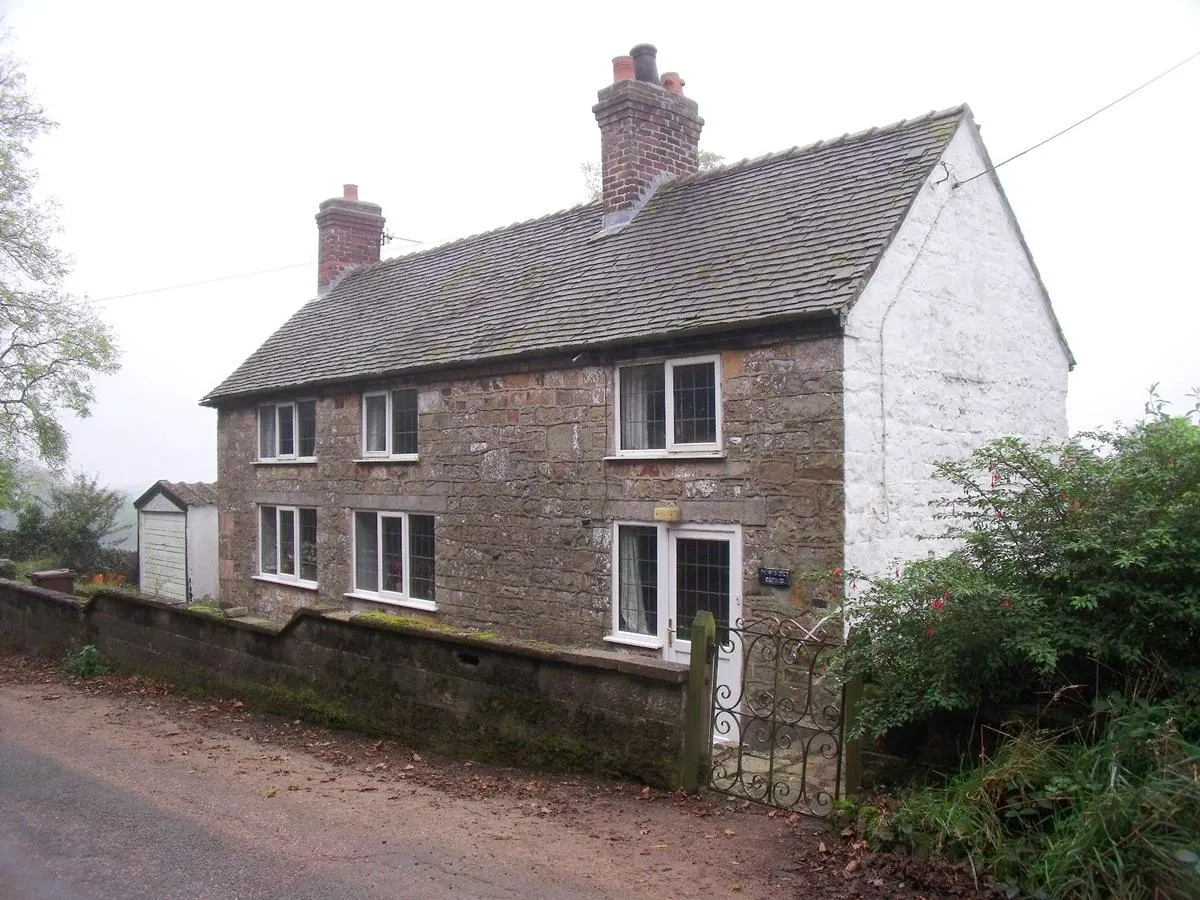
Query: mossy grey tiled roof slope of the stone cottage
{"x": 787, "y": 236}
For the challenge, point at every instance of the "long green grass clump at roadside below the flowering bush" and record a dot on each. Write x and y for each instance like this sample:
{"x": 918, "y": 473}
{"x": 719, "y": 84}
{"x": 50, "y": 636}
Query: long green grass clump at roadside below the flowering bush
{"x": 1055, "y": 818}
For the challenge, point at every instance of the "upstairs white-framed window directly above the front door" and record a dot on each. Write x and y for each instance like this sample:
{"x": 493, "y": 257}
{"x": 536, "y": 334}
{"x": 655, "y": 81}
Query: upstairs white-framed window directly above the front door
{"x": 670, "y": 407}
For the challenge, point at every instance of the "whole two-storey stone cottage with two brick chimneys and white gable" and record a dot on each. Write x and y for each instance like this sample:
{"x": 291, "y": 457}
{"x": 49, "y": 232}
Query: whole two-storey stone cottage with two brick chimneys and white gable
{"x": 590, "y": 427}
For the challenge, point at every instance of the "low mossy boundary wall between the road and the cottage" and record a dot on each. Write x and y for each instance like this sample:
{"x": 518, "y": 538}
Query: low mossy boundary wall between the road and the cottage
{"x": 539, "y": 707}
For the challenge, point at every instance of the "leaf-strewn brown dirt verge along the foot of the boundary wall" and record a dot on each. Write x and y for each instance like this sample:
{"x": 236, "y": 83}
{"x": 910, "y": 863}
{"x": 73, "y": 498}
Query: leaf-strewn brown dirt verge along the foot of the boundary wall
{"x": 661, "y": 844}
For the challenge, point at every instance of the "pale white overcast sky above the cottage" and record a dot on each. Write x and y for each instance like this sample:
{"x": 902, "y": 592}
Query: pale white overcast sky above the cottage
{"x": 196, "y": 143}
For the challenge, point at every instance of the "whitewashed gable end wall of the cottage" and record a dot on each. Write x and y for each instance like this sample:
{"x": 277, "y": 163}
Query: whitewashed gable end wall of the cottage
{"x": 951, "y": 345}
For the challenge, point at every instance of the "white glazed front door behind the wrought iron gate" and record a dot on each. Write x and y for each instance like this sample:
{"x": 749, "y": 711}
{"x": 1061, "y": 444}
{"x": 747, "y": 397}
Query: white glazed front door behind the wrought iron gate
{"x": 705, "y": 573}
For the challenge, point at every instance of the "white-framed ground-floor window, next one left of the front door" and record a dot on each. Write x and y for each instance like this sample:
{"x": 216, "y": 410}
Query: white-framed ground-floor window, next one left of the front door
{"x": 394, "y": 559}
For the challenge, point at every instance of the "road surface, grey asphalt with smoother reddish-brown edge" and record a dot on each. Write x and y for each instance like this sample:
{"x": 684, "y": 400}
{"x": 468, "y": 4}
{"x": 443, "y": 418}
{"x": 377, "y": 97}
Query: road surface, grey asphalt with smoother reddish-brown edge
{"x": 95, "y": 806}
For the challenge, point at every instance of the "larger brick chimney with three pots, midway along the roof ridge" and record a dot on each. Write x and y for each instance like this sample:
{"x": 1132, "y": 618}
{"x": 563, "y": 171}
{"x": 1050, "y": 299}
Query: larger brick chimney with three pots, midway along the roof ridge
{"x": 649, "y": 133}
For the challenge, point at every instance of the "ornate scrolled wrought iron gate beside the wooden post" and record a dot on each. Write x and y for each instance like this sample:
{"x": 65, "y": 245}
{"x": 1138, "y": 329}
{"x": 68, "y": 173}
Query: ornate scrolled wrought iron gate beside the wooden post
{"x": 778, "y": 735}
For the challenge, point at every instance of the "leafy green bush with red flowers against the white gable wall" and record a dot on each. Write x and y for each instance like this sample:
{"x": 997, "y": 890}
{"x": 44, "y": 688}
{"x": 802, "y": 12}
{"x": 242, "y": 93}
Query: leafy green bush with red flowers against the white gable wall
{"x": 1077, "y": 572}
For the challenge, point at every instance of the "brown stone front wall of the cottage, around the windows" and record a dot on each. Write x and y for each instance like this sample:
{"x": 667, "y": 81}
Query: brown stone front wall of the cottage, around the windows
{"x": 513, "y": 465}
